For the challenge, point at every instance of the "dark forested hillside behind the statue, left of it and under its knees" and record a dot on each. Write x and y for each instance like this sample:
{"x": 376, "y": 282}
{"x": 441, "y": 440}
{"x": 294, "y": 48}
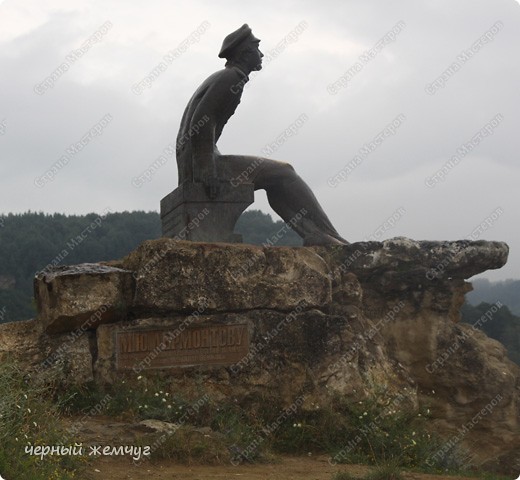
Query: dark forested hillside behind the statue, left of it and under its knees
{"x": 30, "y": 242}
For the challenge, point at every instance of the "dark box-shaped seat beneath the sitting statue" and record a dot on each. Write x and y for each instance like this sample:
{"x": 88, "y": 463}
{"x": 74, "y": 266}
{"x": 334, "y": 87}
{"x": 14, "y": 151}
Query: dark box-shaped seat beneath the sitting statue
{"x": 188, "y": 213}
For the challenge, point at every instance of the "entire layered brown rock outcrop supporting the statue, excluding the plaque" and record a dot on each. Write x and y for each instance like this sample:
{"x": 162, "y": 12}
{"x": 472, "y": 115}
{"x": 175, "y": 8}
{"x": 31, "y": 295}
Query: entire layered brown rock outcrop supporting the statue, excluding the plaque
{"x": 348, "y": 320}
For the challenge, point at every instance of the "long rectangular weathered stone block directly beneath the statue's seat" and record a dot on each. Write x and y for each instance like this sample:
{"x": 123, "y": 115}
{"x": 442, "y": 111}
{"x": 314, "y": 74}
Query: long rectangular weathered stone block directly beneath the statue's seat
{"x": 174, "y": 276}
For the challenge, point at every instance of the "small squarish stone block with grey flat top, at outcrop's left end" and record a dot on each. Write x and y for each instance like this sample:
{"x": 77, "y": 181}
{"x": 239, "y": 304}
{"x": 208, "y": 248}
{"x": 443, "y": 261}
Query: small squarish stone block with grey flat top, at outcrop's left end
{"x": 86, "y": 295}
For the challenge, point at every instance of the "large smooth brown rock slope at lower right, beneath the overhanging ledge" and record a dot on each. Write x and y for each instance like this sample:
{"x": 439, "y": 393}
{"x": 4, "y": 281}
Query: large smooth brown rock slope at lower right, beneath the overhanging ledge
{"x": 465, "y": 378}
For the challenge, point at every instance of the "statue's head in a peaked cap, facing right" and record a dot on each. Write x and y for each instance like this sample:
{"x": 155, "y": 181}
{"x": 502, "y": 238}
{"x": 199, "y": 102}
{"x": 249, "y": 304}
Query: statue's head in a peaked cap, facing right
{"x": 242, "y": 47}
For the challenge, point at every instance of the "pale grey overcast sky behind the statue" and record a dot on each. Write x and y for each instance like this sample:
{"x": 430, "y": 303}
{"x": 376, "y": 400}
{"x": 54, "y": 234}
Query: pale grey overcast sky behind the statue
{"x": 444, "y": 73}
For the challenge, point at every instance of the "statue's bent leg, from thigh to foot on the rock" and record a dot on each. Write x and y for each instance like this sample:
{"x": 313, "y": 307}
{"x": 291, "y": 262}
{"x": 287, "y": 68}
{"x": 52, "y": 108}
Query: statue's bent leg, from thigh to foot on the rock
{"x": 289, "y": 196}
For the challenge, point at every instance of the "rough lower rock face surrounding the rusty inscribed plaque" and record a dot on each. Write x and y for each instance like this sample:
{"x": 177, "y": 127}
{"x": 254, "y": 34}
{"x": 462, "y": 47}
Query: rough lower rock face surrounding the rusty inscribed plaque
{"x": 289, "y": 354}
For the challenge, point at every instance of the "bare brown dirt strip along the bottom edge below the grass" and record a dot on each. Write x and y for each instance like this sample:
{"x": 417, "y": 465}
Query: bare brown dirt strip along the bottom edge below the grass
{"x": 286, "y": 468}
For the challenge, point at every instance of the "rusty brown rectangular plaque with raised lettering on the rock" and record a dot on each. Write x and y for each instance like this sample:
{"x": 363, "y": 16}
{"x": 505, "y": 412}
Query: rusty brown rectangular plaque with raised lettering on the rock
{"x": 168, "y": 348}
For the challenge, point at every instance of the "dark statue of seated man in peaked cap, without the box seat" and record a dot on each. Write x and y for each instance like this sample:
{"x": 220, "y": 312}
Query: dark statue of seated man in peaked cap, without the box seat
{"x": 199, "y": 160}
